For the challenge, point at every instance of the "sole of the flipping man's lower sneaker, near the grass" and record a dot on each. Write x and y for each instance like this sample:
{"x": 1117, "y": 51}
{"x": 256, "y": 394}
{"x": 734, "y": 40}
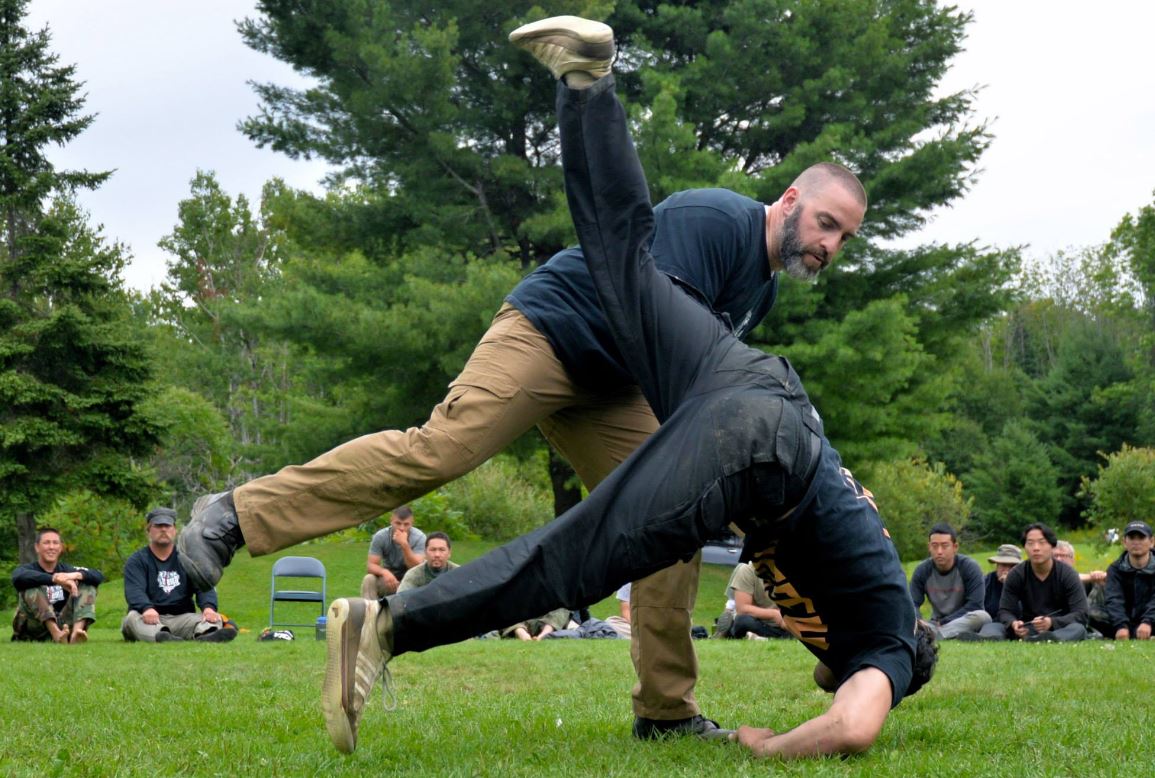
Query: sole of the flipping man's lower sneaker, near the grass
{"x": 340, "y": 671}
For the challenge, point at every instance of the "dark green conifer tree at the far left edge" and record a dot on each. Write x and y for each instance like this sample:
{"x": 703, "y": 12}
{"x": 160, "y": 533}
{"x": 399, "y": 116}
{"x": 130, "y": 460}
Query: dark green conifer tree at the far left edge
{"x": 72, "y": 369}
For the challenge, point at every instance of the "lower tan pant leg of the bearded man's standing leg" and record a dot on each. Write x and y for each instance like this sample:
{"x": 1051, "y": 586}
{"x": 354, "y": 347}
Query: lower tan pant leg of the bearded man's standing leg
{"x": 661, "y": 646}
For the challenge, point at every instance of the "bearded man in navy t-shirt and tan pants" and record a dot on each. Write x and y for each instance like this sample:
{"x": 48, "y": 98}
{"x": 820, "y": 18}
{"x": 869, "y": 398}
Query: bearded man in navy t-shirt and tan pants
{"x": 549, "y": 360}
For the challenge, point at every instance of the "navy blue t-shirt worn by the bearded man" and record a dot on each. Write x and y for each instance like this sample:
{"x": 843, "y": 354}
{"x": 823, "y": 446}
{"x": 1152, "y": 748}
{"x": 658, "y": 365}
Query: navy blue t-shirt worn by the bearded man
{"x": 712, "y": 242}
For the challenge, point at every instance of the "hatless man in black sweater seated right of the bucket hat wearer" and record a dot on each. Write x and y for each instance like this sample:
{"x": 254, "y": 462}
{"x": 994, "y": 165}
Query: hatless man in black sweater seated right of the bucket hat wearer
{"x": 1044, "y": 601}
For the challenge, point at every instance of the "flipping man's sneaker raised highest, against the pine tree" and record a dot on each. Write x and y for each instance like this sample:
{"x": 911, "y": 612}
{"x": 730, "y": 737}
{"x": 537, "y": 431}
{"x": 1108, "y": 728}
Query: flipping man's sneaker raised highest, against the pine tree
{"x": 565, "y": 44}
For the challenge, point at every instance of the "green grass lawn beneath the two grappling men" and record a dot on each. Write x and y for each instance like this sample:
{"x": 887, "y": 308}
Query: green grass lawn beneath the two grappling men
{"x": 556, "y": 708}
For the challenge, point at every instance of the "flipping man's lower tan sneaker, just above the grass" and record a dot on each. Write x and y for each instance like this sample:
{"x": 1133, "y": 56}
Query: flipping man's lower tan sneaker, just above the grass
{"x": 356, "y": 659}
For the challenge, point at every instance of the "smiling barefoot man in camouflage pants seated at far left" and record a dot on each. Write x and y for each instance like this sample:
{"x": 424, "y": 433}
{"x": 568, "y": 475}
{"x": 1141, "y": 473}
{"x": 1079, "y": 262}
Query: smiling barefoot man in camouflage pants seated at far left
{"x": 57, "y": 601}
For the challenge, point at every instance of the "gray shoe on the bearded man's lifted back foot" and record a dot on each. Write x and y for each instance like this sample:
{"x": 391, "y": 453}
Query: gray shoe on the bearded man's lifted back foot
{"x": 210, "y": 541}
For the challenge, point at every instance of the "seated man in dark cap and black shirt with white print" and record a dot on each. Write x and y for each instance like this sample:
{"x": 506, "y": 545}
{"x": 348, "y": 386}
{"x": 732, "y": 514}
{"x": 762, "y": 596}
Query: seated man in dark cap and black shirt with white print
{"x": 160, "y": 597}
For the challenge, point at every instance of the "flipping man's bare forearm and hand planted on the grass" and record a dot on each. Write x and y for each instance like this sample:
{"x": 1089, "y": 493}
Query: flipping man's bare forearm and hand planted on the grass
{"x": 851, "y": 727}
